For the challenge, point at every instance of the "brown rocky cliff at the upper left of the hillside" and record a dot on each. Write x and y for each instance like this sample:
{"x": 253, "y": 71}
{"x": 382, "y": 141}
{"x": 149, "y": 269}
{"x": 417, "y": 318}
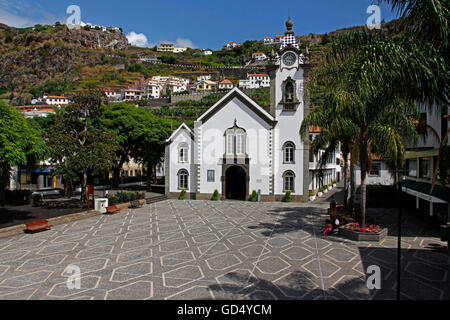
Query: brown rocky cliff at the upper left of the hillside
{"x": 34, "y": 55}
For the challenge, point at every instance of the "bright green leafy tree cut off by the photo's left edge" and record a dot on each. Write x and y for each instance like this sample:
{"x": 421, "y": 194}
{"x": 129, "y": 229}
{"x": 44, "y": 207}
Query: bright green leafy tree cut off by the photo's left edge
{"x": 20, "y": 144}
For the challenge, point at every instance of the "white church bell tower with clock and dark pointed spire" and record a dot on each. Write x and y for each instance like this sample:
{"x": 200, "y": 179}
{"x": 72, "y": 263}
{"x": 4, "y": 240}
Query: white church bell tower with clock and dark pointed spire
{"x": 289, "y": 107}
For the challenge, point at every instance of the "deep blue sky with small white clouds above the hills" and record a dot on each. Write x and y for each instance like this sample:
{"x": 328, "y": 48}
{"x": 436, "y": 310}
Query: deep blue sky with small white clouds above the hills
{"x": 197, "y": 23}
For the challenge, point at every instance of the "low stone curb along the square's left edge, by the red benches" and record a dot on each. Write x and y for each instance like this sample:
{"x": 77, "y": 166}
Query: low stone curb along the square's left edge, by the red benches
{"x": 15, "y": 230}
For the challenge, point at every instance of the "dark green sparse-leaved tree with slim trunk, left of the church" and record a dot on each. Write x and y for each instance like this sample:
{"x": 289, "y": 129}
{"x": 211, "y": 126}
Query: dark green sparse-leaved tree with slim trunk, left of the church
{"x": 78, "y": 143}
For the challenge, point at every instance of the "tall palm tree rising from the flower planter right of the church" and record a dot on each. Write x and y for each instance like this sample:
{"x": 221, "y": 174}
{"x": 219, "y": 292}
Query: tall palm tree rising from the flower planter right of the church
{"x": 372, "y": 83}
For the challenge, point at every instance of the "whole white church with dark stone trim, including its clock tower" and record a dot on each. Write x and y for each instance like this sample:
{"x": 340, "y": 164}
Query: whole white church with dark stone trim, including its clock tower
{"x": 236, "y": 147}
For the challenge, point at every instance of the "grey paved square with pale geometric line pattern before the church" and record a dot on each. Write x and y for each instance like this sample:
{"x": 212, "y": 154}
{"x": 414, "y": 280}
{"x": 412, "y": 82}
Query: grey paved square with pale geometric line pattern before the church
{"x": 218, "y": 250}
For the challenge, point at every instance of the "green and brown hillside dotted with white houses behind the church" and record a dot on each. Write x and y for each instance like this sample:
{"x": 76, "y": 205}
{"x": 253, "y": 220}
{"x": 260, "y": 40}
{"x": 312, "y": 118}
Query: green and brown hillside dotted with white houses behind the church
{"x": 54, "y": 60}
